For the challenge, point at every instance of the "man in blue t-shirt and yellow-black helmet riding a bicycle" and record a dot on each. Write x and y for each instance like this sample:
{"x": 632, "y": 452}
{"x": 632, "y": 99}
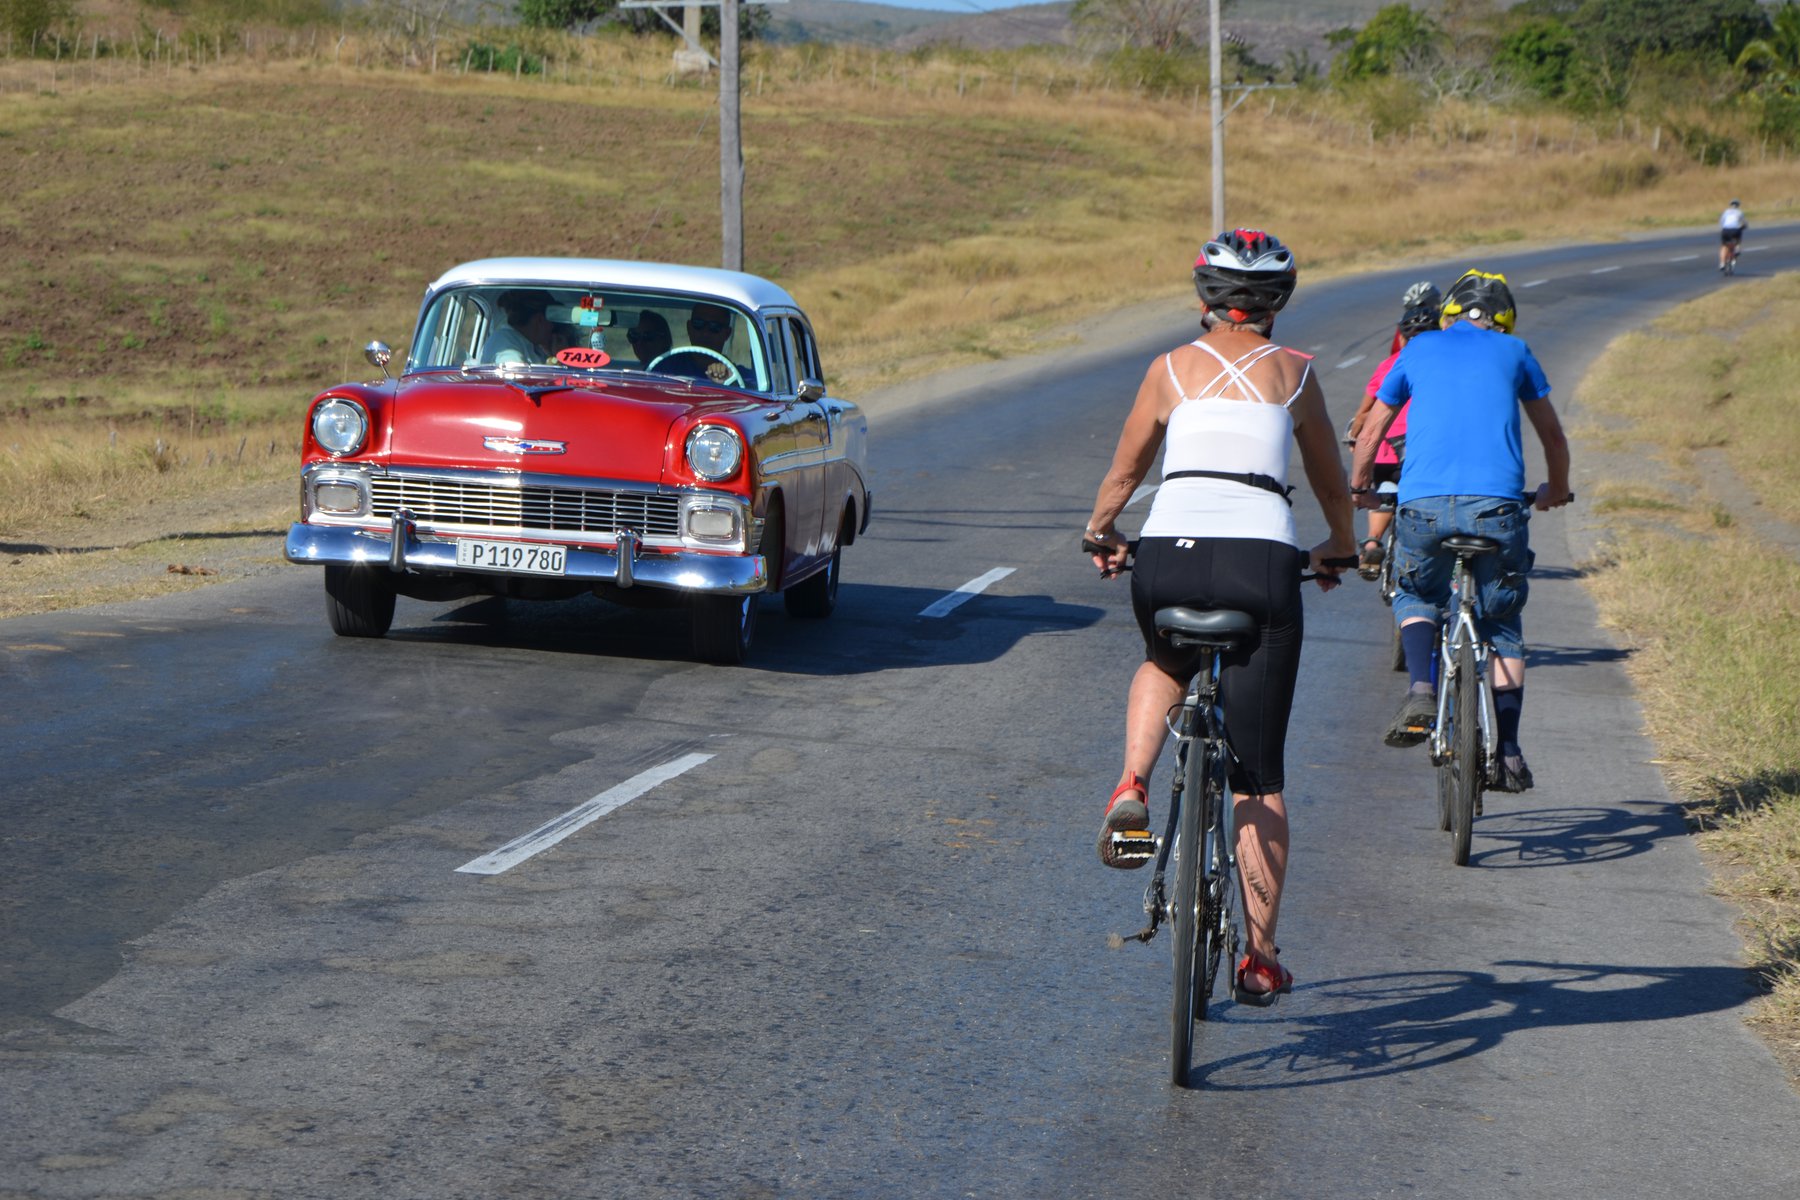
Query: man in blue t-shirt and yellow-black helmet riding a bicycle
{"x": 1464, "y": 474}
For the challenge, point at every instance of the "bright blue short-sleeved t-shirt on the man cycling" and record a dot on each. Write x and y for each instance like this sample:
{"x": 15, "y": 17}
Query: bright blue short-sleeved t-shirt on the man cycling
{"x": 1462, "y": 433}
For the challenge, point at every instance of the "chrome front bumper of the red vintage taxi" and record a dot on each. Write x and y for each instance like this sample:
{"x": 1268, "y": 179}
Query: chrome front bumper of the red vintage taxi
{"x": 404, "y": 553}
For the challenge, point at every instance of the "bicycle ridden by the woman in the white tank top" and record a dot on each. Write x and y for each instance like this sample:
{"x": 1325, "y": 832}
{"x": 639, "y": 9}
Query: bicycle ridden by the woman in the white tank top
{"x": 1201, "y": 814}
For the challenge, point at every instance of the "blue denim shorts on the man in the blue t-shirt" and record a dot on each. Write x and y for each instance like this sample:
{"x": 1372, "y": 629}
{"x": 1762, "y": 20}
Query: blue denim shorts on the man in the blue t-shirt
{"x": 1423, "y": 566}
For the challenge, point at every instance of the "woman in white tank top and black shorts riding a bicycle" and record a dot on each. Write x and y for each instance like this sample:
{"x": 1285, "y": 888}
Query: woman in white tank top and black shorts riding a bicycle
{"x": 1221, "y": 535}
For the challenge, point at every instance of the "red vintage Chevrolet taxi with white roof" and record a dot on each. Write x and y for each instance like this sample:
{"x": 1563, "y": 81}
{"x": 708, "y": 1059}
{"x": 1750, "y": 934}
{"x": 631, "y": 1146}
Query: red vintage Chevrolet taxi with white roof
{"x": 638, "y": 431}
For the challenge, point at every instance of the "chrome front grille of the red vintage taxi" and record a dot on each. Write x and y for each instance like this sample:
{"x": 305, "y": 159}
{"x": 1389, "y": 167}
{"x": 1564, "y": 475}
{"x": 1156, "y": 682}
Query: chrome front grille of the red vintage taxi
{"x": 481, "y": 505}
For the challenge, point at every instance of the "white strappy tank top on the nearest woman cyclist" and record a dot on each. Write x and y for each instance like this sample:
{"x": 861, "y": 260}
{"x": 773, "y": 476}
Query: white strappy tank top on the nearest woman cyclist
{"x": 1212, "y": 433}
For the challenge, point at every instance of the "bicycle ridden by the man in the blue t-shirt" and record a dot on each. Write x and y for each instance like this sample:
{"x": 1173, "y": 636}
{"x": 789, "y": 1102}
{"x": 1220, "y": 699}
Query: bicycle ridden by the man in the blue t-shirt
{"x": 1464, "y": 744}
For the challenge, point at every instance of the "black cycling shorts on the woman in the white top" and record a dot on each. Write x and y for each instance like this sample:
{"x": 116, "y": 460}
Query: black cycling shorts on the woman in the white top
{"x": 1257, "y": 679}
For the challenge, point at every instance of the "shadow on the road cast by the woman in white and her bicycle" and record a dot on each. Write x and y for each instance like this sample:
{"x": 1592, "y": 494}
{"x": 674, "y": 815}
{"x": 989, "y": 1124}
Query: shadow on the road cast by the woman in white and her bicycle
{"x": 1371, "y": 1026}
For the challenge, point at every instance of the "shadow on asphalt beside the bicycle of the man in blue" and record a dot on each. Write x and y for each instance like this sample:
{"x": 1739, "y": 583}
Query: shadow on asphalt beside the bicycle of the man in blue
{"x": 1567, "y": 837}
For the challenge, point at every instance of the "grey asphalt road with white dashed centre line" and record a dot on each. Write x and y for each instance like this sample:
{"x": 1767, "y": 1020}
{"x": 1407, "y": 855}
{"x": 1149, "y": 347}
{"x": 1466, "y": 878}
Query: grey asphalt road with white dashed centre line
{"x": 836, "y": 927}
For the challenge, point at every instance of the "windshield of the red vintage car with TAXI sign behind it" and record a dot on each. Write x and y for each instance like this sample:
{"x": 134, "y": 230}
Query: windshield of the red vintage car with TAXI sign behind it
{"x": 519, "y": 327}
